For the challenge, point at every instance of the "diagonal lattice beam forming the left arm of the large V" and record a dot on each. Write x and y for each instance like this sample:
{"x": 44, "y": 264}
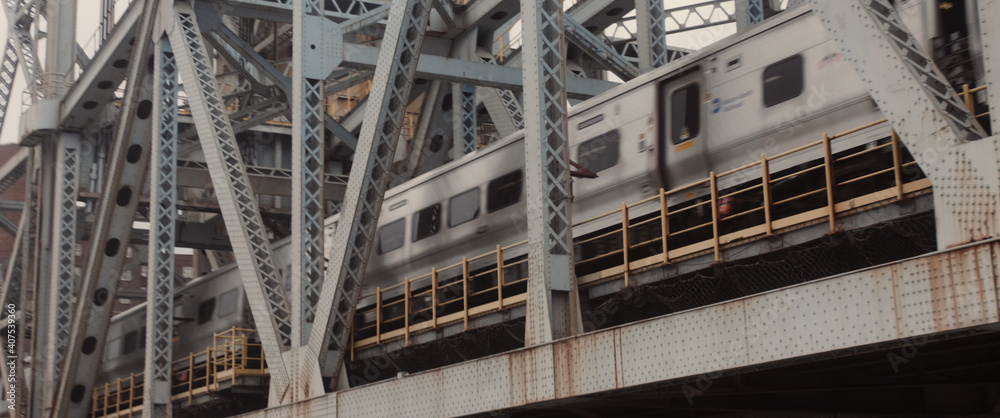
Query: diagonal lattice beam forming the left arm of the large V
{"x": 261, "y": 277}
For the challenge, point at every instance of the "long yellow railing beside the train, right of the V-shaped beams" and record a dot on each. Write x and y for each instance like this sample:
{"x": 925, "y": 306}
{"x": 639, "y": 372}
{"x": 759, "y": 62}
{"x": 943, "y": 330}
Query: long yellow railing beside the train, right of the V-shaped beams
{"x": 659, "y": 227}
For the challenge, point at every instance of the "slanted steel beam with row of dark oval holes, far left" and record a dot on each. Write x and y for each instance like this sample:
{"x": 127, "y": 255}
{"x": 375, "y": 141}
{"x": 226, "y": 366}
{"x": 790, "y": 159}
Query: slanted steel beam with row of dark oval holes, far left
{"x": 128, "y": 164}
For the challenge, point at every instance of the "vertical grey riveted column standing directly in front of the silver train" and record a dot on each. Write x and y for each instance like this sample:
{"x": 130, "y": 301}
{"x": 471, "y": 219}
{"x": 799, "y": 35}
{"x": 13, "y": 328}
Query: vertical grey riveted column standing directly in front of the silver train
{"x": 552, "y": 308}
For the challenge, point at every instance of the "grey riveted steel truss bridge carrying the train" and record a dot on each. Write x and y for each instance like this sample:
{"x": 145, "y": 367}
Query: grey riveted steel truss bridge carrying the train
{"x": 176, "y": 105}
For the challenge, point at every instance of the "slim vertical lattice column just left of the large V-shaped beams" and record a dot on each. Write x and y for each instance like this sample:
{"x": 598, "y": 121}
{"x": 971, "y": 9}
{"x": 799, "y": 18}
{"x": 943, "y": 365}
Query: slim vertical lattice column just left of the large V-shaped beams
{"x": 163, "y": 217}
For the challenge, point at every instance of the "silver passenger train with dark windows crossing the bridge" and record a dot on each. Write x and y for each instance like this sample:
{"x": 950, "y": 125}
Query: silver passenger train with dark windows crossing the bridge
{"x": 772, "y": 88}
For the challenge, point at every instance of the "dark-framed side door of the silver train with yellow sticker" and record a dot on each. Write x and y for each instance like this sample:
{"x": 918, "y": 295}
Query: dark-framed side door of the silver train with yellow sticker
{"x": 682, "y": 131}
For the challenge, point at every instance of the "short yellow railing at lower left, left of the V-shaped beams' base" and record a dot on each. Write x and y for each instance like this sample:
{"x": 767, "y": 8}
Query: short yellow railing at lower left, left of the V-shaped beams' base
{"x": 230, "y": 356}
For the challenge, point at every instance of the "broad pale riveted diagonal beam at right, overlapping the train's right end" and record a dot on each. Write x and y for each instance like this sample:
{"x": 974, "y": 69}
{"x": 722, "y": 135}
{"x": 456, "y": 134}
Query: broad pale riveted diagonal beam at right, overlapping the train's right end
{"x": 931, "y": 120}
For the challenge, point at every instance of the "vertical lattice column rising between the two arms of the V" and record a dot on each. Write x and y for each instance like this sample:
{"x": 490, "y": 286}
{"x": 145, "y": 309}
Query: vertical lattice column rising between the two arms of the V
{"x": 308, "y": 113}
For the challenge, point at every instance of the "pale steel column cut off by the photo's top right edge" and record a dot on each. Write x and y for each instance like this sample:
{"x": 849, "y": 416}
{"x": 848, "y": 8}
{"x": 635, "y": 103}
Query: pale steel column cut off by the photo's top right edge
{"x": 989, "y": 15}
